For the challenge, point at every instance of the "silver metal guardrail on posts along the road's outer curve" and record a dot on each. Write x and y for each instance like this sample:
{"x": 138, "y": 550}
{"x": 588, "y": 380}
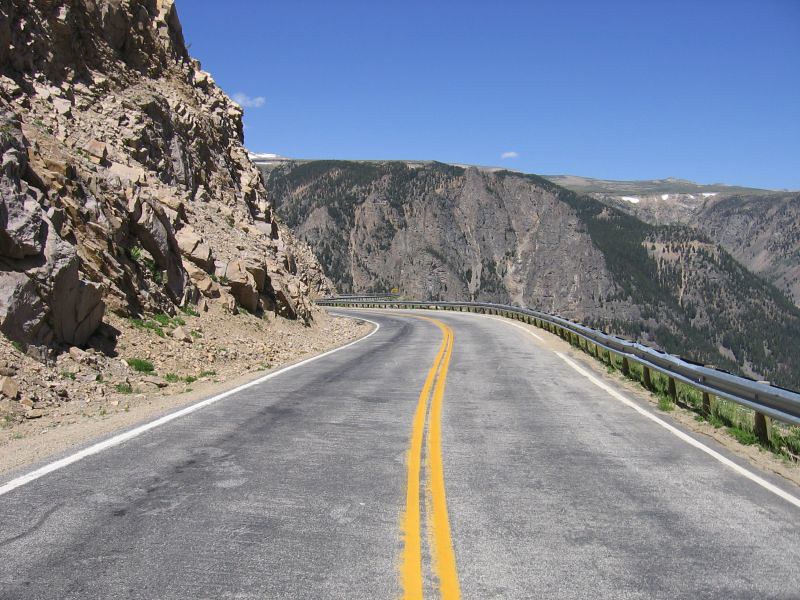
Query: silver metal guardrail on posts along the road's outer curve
{"x": 763, "y": 398}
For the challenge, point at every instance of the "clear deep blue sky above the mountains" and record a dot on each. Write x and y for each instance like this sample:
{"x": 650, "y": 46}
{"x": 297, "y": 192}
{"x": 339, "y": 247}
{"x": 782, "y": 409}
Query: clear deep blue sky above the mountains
{"x": 704, "y": 90}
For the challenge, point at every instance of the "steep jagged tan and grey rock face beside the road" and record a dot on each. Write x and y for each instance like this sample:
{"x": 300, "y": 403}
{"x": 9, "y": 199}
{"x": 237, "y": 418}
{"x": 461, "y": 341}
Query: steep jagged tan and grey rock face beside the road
{"x": 126, "y": 167}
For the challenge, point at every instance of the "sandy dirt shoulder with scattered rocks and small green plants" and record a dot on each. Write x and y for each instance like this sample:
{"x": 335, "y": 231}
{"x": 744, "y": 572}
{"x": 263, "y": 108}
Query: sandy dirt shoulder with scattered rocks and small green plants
{"x": 86, "y": 395}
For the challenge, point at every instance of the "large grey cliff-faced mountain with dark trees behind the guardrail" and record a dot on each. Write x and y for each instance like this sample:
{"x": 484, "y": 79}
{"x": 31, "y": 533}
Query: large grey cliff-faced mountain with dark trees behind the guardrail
{"x": 446, "y": 232}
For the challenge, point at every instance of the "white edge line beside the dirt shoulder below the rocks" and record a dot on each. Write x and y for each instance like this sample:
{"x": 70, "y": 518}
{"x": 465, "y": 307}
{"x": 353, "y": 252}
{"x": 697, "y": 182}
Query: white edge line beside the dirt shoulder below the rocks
{"x": 137, "y": 431}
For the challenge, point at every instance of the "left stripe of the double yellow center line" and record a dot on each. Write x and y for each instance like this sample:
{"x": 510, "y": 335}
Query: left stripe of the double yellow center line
{"x": 411, "y": 568}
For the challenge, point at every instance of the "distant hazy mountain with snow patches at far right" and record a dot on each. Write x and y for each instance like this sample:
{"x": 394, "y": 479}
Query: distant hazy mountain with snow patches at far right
{"x": 758, "y": 227}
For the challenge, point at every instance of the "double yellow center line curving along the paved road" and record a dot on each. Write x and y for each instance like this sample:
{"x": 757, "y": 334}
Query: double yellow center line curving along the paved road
{"x": 441, "y": 545}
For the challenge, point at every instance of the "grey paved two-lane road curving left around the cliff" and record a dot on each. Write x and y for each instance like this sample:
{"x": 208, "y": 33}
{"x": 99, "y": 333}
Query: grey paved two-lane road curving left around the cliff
{"x": 301, "y": 487}
